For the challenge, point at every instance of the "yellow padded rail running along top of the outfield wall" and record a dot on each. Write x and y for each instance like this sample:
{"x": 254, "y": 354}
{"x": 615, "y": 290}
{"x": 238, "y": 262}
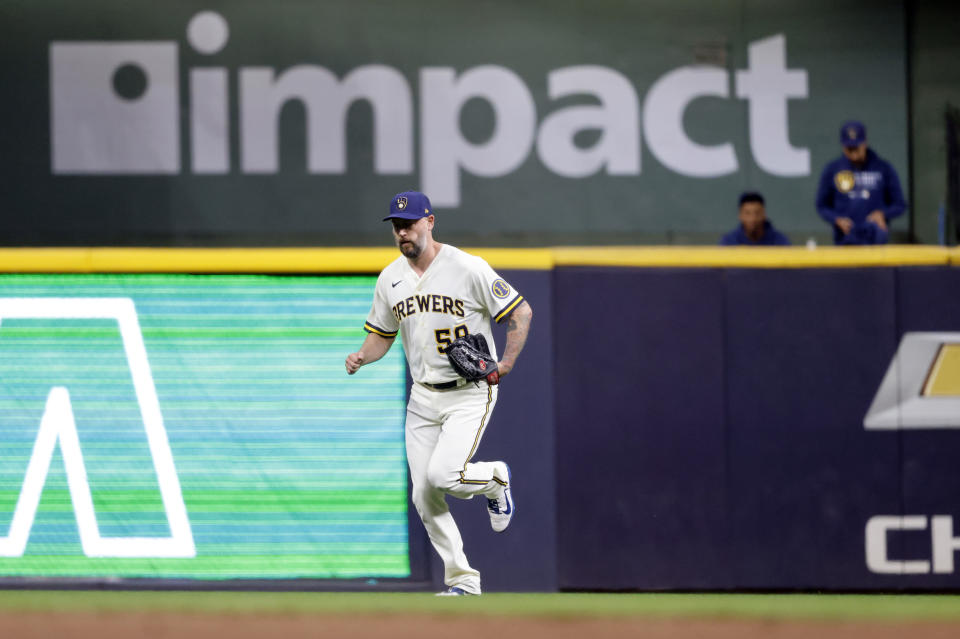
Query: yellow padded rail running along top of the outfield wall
{"x": 372, "y": 260}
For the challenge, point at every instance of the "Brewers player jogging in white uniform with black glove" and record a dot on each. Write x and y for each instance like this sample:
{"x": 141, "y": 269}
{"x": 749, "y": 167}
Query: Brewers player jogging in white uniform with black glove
{"x": 433, "y": 294}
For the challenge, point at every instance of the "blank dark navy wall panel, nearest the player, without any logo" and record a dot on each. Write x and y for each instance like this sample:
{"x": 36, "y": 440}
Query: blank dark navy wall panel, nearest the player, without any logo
{"x": 640, "y": 464}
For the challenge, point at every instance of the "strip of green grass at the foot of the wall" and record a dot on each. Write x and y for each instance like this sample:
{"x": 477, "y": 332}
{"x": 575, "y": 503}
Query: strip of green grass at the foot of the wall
{"x": 944, "y": 608}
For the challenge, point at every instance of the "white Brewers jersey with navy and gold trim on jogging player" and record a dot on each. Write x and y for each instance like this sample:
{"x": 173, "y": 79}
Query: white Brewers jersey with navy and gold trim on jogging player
{"x": 458, "y": 294}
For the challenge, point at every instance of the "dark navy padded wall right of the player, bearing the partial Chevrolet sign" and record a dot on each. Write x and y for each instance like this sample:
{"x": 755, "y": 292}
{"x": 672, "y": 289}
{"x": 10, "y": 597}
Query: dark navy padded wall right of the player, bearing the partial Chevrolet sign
{"x": 720, "y": 437}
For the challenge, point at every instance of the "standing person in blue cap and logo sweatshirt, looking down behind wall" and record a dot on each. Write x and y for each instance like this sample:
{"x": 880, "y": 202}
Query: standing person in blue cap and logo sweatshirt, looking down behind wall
{"x": 859, "y": 193}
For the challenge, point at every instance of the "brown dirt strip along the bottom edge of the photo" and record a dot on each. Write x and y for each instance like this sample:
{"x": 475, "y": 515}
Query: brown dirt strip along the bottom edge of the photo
{"x": 161, "y": 625}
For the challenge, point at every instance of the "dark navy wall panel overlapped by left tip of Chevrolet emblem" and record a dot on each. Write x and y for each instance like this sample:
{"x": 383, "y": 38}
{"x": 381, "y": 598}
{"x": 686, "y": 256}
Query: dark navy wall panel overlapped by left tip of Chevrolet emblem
{"x": 806, "y": 350}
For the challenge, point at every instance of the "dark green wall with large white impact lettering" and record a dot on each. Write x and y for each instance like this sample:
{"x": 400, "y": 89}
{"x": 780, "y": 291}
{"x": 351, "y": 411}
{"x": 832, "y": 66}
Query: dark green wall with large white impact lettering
{"x": 531, "y": 124}
